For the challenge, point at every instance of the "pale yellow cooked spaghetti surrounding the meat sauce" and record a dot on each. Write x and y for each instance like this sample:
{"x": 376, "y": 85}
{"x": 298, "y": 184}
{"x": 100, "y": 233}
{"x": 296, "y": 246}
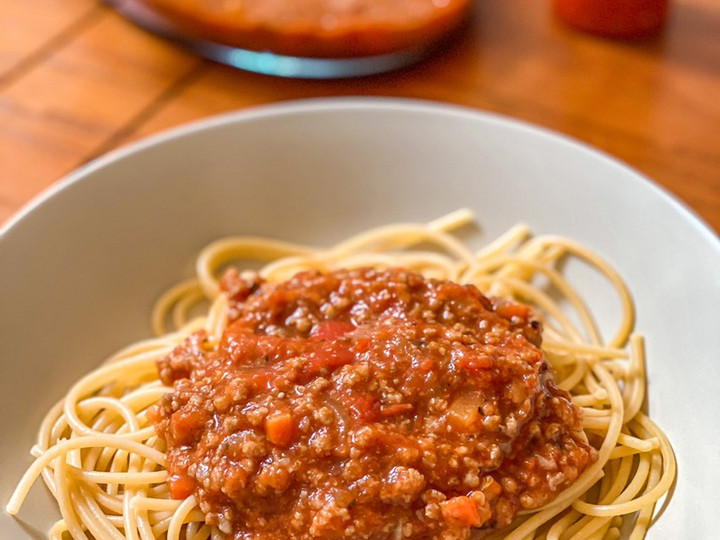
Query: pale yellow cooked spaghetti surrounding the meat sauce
{"x": 103, "y": 462}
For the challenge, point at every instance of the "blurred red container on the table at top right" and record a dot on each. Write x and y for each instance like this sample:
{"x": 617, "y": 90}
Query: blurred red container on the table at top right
{"x": 613, "y": 18}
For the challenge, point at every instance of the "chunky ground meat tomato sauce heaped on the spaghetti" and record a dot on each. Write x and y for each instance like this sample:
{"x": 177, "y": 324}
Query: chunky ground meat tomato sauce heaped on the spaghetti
{"x": 366, "y": 404}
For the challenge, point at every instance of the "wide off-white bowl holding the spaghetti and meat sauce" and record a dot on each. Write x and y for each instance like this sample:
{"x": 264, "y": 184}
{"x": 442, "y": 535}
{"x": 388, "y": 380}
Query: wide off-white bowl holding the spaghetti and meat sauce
{"x": 81, "y": 266}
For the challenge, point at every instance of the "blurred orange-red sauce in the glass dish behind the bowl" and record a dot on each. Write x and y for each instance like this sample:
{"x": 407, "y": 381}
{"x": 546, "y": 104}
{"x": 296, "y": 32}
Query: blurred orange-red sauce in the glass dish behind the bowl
{"x": 318, "y": 28}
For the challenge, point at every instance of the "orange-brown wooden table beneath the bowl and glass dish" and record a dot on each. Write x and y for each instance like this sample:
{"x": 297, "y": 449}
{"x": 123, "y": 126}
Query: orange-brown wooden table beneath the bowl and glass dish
{"x": 77, "y": 79}
